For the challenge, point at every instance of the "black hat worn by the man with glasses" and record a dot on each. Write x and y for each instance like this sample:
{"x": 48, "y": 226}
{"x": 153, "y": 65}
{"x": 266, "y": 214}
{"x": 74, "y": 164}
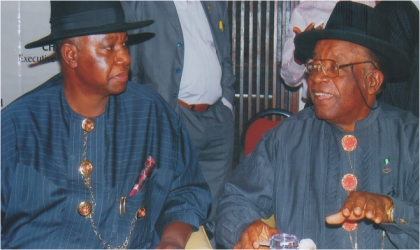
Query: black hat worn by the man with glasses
{"x": 363, "y": 25}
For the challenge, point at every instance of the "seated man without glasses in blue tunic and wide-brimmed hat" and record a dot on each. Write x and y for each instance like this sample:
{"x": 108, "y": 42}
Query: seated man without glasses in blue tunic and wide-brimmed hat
{"x": 90, "y": 160}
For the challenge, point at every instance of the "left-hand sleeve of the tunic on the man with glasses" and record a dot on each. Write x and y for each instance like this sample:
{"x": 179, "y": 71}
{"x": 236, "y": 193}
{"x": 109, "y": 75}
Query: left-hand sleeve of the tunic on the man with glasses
{"x": 247, "y": 196}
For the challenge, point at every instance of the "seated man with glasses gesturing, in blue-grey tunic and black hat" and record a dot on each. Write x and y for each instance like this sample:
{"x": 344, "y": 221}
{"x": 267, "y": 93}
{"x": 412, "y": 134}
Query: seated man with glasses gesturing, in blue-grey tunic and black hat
{"x": 344, "y": 173}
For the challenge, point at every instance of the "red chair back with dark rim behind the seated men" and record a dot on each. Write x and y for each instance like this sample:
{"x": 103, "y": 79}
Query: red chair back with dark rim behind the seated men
{"x": 257, "y": 126}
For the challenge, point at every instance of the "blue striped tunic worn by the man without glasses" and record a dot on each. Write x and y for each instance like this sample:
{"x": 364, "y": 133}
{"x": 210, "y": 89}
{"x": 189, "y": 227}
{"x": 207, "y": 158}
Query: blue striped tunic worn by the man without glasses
{"x": 42, "y": 147}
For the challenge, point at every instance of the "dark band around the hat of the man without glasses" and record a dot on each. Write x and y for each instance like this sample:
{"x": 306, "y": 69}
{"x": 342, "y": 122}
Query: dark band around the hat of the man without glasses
{"x": 87, "y": 19}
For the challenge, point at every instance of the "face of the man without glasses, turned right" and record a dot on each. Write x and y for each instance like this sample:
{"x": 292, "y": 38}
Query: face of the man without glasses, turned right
{"x": 103, "y": 64}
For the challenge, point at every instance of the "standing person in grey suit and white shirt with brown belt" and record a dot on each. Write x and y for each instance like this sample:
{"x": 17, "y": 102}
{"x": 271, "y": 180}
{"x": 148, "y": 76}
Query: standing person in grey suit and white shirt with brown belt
{"x": 188, "y": 62}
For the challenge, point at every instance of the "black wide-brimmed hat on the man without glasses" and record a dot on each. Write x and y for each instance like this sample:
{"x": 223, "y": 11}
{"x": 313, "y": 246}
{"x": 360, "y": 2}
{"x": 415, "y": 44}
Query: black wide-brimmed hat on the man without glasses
{"x": 81, "y": 18}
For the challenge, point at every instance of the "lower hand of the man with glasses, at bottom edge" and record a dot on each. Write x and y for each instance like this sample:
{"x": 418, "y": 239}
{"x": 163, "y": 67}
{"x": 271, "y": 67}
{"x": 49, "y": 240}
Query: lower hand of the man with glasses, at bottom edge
{"x": 256, "y": 232}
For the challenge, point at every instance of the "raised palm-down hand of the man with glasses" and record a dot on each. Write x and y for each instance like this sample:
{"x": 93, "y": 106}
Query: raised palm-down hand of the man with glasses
{"x": 360, "y": 205}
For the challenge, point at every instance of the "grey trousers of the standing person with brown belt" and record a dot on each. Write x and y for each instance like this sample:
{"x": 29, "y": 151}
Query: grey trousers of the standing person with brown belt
{"x": 212, "y": 134}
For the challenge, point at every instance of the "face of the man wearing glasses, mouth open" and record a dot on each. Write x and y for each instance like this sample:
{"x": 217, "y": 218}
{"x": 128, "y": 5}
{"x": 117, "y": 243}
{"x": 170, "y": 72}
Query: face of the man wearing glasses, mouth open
{"x": 338, "y": 100}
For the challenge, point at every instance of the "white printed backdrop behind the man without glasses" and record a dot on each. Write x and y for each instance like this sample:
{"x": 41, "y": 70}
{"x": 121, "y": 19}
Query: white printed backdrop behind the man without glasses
{"x": 23, "y": 22}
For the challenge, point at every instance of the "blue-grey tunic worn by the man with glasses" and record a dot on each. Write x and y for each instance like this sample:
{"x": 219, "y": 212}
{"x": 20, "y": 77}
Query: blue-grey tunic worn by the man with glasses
{"x": 296, "y": 169}
